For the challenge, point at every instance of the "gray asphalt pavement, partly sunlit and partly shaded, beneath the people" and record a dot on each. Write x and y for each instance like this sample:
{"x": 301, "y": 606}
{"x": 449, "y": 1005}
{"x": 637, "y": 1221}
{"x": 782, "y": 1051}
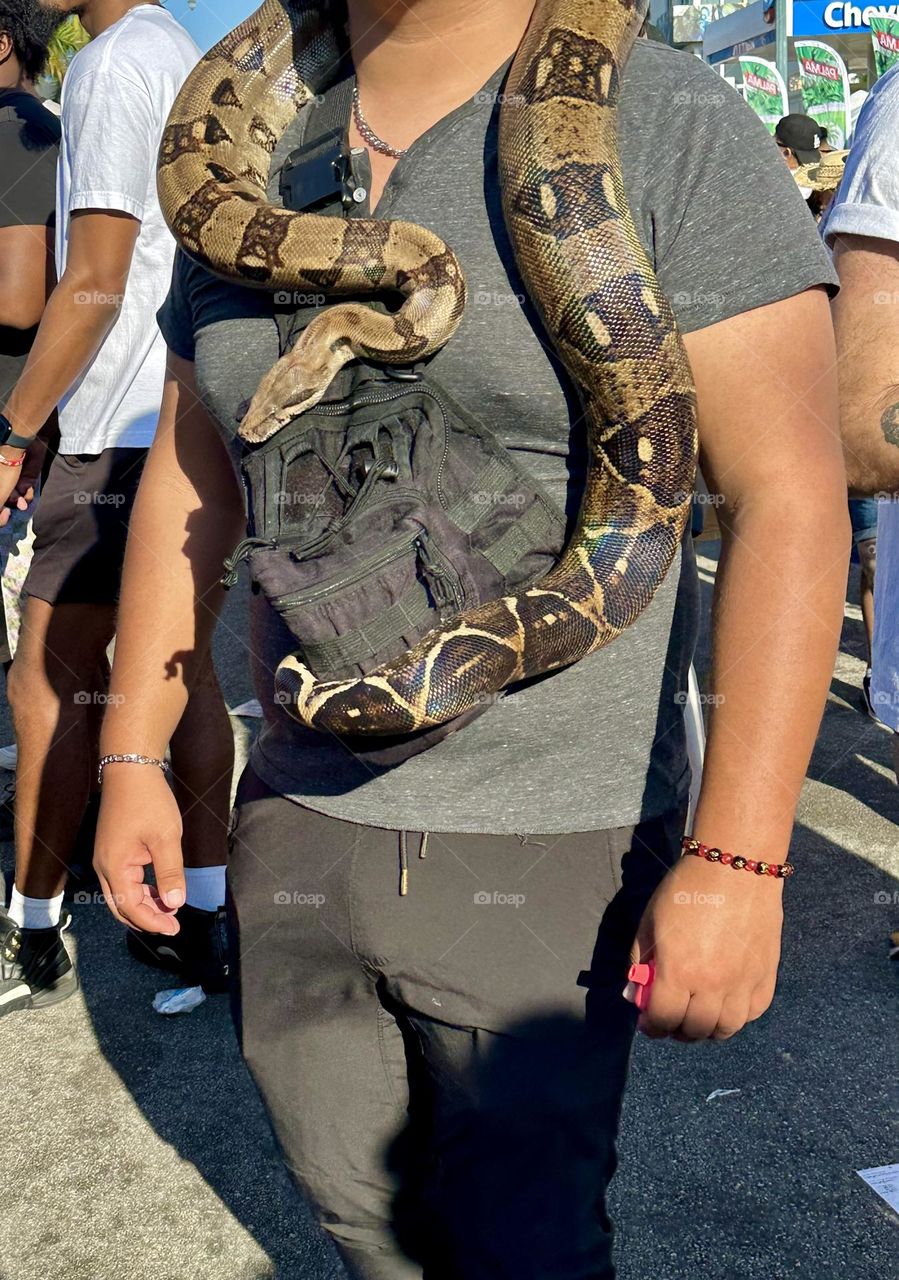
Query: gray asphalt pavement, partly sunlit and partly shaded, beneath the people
{"x": 136, "y": 1146}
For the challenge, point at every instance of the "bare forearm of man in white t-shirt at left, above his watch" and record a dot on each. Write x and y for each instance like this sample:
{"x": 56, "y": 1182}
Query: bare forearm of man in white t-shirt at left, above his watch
{"x": 74, "y": 328}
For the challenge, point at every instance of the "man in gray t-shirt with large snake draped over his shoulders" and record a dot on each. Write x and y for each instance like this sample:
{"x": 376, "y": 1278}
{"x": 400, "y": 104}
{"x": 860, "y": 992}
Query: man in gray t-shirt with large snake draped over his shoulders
{"x": 444, "y": 1066}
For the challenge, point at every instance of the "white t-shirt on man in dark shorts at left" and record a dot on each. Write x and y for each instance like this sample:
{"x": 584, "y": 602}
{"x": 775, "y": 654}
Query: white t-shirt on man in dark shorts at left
{"x": 117, "y": 98}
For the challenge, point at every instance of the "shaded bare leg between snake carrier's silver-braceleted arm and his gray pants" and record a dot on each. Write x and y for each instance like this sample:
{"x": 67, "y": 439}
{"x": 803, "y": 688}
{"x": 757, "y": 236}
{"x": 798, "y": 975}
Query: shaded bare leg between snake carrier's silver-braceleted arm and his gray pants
{"x": 203, "y": 764}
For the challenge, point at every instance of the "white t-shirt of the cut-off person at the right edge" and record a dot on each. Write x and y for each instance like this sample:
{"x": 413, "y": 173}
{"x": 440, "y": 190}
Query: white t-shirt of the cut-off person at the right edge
{"x": 868, "y": 204}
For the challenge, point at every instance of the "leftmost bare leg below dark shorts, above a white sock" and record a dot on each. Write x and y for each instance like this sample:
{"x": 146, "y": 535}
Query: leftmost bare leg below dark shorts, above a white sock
{"x": 56, "y": 689}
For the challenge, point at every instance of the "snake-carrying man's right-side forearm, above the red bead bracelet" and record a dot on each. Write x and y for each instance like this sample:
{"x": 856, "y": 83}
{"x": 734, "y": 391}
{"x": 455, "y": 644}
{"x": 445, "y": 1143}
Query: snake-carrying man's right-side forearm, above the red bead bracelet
{"x": 777, "y": 628}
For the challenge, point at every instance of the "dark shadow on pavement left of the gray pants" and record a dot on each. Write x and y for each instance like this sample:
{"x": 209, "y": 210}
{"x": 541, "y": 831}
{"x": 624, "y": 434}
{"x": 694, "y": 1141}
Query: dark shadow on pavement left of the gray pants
{"x": 186, "y": 1076}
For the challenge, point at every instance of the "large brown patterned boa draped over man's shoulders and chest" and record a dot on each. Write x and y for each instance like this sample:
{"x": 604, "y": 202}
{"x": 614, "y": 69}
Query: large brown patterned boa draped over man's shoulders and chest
{"x": 583, "y": 266}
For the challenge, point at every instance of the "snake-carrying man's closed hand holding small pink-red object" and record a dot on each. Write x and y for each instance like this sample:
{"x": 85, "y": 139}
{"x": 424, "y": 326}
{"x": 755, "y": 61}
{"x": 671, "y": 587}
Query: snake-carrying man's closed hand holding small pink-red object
{"x": 714, "y": 936}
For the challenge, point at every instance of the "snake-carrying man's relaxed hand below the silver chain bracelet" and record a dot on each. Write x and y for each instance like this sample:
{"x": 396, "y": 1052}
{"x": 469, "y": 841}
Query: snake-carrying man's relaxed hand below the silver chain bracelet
{"x": 140, "y": 826}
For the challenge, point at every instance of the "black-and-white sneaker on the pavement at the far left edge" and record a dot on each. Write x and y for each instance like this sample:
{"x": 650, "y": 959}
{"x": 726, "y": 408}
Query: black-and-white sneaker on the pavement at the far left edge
{"x": 36, "y": 971}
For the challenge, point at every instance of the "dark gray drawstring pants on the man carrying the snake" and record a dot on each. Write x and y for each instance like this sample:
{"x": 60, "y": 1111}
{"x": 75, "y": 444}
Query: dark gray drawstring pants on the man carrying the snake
{"x": 445, "y": 1069}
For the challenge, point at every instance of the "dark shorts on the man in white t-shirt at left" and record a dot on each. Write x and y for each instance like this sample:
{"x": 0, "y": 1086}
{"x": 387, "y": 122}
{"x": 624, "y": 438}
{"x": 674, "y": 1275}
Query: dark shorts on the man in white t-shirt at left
{"x": 81, "y": 527}
